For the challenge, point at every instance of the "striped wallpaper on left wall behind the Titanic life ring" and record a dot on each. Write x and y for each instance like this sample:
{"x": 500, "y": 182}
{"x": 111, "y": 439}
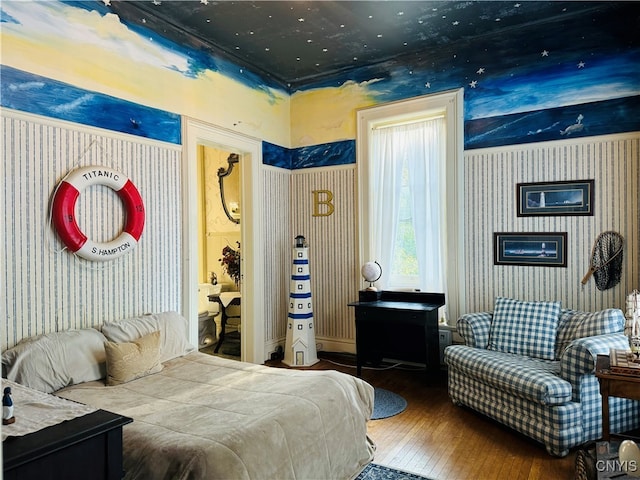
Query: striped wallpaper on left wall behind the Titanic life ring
{"x": 45, "y": 287}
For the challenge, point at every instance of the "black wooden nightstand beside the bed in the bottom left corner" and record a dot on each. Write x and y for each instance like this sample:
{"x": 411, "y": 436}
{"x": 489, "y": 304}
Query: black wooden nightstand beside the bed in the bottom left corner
{"x": 85, "y": 447}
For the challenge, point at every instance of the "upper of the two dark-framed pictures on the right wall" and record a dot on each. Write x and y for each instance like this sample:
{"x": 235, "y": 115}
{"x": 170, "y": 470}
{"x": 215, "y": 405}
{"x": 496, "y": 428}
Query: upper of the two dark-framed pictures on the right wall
{"x": 555, "y": 198}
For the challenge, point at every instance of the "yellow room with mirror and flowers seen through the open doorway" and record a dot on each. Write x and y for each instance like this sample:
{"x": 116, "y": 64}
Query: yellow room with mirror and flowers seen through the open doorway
{"x": 219, "y": 174}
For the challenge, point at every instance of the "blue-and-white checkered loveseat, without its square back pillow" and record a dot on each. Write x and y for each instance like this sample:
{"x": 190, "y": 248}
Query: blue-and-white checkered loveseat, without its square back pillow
{"x": 556, "y": 402}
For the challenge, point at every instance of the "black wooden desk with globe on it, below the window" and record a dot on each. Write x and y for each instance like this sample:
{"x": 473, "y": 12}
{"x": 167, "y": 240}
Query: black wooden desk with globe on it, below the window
{"x": 401, "y": 326}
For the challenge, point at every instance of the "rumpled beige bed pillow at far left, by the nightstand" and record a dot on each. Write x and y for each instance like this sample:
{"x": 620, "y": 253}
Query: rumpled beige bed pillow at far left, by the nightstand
{"x": 56, "y": 360}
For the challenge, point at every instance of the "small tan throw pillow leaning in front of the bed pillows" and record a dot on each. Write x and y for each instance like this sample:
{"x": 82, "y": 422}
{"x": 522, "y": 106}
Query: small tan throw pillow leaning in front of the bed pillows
{"x": 131, "y": 360}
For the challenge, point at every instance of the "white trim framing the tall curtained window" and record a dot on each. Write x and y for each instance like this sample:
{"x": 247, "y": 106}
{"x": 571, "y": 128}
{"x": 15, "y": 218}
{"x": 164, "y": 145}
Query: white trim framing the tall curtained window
{"x": 450, "y": 104}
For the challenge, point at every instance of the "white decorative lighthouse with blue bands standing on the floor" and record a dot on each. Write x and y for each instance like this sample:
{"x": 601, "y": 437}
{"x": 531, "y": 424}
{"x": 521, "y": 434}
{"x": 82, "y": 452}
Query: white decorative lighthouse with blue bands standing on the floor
{"x": 300, "y": 347}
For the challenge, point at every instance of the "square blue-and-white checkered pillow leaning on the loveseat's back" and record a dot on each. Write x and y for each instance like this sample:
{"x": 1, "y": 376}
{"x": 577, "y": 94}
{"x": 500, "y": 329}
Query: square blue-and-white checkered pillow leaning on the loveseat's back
{"x": 524, "y": 328}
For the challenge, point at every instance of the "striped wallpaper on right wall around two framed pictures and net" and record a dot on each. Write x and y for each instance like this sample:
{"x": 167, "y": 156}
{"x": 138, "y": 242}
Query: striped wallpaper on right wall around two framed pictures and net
{"x": 491, "y": 176}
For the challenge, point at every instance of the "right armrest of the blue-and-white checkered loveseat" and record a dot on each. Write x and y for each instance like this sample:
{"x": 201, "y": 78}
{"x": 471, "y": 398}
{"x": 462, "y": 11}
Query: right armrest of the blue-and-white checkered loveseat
{"x": 579, "y": 358}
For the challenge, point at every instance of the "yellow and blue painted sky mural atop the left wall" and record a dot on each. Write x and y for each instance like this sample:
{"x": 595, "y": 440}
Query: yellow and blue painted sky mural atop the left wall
{"x": 84, "y": 45}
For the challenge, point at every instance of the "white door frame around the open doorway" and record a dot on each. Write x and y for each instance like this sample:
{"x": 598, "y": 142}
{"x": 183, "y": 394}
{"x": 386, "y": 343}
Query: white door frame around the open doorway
{"x": 197, "y": 133}
